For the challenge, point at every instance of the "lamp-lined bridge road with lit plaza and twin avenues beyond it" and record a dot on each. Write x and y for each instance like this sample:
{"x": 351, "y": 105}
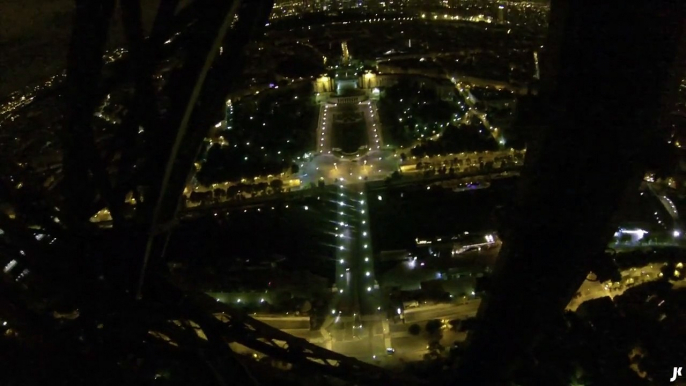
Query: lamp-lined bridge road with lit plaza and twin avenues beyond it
{"x": 356, "y": 289}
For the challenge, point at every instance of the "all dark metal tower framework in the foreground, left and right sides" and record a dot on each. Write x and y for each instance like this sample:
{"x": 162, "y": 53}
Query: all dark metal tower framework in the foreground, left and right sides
{"x": 606, "y": 83}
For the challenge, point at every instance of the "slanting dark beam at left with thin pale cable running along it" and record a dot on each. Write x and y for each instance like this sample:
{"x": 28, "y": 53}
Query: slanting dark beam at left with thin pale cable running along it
{"x": 186, "y": 116}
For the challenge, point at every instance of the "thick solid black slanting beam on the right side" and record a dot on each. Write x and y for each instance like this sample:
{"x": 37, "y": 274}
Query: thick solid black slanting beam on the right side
{"x": 608, "y": 74}
